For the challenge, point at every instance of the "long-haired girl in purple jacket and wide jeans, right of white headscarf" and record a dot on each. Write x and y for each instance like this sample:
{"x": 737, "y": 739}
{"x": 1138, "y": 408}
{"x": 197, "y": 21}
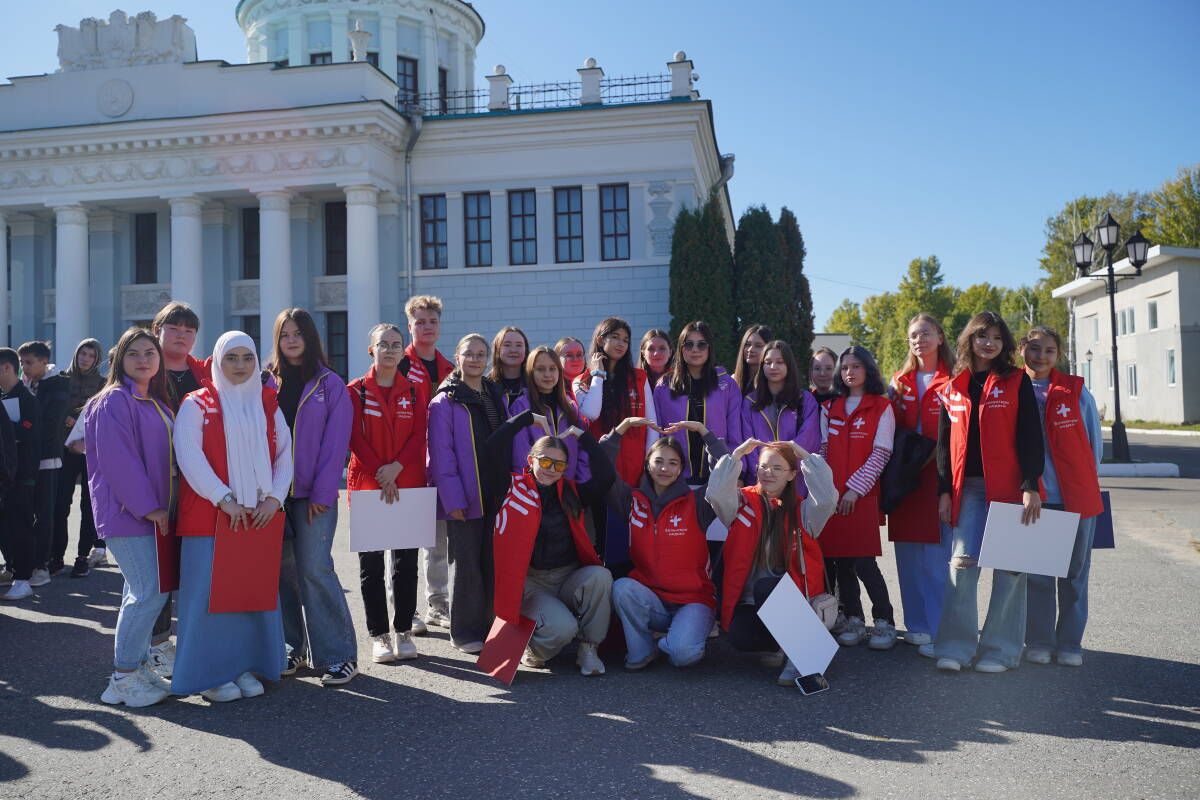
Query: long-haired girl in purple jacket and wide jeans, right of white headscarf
{"x": 319, "y": 413}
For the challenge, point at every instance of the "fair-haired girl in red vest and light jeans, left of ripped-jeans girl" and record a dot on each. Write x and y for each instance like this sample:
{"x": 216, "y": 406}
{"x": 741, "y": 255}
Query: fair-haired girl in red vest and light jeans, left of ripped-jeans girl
{"x": 922, "y": 540}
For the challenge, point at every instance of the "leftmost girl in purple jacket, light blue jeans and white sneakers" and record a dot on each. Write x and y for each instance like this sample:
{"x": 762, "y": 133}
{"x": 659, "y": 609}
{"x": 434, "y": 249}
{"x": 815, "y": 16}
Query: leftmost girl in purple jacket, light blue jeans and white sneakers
{"x": 128, "y": 430}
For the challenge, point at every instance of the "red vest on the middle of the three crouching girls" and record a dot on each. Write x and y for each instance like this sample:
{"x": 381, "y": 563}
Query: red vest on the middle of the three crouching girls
{"x": 670, "y": 555}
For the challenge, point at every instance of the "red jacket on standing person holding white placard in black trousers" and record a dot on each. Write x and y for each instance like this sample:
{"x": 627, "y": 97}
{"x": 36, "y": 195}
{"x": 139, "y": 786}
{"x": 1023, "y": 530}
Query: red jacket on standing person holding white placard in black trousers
{"x": 381, "y": 435}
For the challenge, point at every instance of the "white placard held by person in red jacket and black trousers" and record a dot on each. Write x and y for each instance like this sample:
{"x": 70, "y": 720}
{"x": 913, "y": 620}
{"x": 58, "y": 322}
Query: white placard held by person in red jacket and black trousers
{"x": 407, "y": 524}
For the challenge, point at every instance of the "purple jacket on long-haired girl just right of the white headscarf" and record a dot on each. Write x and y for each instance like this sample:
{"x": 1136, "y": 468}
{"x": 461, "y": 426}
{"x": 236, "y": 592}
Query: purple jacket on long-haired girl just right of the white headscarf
{"x": 321, "y": 438}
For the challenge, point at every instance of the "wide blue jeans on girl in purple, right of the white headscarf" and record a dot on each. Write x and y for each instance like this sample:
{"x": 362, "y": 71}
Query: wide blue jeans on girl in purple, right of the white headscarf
{"x": 308, "y": 581}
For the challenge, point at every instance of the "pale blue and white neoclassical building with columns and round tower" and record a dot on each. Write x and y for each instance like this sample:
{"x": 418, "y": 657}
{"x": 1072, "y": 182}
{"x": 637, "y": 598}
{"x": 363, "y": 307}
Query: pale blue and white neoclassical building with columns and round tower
{"x": 351, "y": 164}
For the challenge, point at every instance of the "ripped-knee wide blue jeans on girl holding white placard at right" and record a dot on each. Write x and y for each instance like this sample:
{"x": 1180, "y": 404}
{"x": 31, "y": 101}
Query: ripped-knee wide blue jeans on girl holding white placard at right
{"x": 1004, "y": 630}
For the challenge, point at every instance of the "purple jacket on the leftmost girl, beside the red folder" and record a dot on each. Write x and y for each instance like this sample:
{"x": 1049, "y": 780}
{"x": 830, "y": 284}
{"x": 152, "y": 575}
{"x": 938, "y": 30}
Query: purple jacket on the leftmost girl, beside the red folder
{"x": 129, "y": 461}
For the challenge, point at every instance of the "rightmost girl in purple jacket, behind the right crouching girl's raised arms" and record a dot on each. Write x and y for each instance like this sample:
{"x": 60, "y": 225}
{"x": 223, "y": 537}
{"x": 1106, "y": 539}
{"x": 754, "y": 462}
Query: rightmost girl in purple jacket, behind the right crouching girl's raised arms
{"x": 779, "y": 408}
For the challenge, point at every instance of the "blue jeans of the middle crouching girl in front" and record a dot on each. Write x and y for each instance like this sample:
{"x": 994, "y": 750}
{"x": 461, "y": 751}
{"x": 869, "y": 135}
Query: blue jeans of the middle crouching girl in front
{"x": 643, "y": 615}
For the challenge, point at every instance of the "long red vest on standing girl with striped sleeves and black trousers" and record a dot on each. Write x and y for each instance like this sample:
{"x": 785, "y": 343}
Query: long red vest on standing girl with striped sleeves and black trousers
{"x": 850, "y": 443}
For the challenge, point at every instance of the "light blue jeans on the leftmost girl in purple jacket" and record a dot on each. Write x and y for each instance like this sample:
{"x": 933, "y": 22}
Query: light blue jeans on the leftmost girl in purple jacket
{"x": 141, "y": 600}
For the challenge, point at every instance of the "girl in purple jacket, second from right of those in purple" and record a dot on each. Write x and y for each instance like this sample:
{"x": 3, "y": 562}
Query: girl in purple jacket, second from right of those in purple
{"x": 698, "y": 390}
